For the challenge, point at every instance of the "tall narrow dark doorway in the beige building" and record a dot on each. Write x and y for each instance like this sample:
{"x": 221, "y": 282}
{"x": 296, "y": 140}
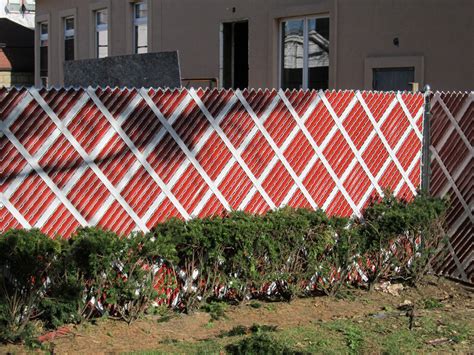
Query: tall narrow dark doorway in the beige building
{"x": 235, "y": 55}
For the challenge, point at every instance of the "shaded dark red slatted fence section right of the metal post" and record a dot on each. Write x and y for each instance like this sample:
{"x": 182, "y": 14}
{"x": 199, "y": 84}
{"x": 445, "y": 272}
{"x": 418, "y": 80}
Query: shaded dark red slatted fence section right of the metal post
{"x": 452, "y": 166}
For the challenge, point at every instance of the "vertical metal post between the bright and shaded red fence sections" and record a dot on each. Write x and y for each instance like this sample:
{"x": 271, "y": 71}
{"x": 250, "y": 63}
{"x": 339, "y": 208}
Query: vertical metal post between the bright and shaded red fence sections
{"x": 426, "y": 156}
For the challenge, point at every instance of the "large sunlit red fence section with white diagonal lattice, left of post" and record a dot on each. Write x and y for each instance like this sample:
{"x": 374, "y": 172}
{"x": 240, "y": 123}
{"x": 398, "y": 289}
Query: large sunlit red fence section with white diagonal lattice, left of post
{"x": 127, "y": 159}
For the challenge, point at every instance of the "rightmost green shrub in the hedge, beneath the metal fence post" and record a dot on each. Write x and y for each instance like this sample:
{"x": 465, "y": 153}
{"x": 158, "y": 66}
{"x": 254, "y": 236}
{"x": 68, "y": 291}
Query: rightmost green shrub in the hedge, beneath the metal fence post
{"x": 392, "y": 231}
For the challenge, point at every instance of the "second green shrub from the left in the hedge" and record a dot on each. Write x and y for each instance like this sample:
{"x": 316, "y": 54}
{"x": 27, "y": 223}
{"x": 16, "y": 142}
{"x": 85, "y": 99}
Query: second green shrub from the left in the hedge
{"x": 117, "y": 273}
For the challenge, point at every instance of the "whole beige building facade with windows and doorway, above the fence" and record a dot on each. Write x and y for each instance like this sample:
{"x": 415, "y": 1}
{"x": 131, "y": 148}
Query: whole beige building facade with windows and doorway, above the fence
{"x": 336, "y": 44}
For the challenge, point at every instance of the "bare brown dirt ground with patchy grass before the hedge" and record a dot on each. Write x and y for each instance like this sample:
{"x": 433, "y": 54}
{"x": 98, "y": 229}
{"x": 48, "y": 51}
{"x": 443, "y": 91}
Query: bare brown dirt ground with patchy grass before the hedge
{"x": 361, "y": 321}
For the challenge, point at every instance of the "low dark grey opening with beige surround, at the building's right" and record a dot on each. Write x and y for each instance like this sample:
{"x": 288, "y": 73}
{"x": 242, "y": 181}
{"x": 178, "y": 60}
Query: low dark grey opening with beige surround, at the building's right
{"x": 393, "y": 79}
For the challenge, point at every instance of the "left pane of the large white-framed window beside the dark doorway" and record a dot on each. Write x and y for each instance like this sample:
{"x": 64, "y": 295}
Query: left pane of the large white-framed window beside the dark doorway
{"x": 292, "y": 54}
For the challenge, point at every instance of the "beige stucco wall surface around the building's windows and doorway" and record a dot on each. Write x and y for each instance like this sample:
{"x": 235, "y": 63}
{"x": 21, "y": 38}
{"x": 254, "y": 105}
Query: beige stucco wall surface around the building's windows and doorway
{"x": 435, "y": 36}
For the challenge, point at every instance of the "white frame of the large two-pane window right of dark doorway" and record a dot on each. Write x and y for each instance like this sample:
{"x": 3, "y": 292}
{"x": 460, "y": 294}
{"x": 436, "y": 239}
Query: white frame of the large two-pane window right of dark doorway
{"x": 304, "y": 84}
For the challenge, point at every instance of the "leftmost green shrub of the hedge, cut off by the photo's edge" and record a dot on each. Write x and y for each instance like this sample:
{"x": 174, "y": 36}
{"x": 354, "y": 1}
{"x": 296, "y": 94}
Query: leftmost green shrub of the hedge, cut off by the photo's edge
{"x": 26, "y": 259}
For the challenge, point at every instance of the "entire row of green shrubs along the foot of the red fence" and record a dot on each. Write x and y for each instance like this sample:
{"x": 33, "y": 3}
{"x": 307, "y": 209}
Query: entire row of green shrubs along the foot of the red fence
{"x": 278, "y": 256}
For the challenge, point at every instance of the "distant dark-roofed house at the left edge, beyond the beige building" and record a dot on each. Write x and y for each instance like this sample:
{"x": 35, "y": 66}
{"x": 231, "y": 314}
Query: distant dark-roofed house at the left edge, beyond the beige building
{"x": 17, "y": 42}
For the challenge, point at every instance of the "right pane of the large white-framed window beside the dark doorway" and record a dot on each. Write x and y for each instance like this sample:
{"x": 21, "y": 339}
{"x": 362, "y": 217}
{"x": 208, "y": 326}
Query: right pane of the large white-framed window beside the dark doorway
{"x": 318, "y": 53}
